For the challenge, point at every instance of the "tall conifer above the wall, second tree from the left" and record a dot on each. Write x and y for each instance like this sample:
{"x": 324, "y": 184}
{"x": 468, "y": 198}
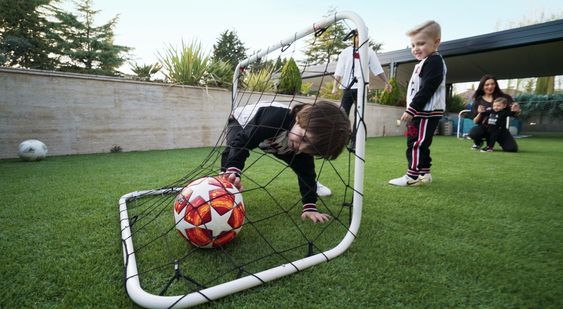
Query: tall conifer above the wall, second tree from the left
{"x": 87, "y": 48}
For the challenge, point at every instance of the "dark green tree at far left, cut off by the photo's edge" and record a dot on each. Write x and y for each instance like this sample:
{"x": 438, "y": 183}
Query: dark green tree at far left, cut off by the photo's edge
{"x": 26, "y": 39}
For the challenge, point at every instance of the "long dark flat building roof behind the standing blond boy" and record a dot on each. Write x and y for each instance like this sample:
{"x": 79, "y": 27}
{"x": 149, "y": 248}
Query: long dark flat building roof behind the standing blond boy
{"x": 530, "y": 51}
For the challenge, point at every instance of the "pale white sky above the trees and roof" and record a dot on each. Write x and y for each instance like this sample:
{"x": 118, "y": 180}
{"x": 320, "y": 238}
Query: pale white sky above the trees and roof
{"x": 150, "y": 26}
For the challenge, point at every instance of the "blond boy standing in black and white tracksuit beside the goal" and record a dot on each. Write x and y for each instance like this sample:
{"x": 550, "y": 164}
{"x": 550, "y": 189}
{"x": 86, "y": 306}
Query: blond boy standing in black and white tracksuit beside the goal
{"x": 426, "y": 102}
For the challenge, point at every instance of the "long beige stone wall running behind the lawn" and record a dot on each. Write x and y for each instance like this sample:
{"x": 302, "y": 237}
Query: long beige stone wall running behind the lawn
{"x": 79, "y": 114}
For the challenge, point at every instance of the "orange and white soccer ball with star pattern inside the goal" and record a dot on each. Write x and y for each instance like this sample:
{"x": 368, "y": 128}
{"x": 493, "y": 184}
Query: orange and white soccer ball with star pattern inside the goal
{"x": 209, "y": 212}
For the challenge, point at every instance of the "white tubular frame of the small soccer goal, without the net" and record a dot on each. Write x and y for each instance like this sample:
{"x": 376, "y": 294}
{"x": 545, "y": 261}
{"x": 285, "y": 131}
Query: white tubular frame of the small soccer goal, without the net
{"x": 145, "y": 299}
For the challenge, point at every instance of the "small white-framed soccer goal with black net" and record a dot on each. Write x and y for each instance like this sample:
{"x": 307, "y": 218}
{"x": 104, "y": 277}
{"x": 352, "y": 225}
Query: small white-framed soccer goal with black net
{"x": 198, "y": 239}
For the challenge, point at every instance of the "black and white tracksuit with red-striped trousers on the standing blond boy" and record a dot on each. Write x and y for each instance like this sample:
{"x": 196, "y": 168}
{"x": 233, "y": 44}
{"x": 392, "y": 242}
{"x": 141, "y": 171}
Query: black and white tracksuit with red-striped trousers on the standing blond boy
{"x": 426, "y": 102}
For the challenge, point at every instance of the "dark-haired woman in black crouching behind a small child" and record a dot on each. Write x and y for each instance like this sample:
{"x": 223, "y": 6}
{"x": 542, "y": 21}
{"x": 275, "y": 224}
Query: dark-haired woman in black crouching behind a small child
{"x": 487, "y": 91}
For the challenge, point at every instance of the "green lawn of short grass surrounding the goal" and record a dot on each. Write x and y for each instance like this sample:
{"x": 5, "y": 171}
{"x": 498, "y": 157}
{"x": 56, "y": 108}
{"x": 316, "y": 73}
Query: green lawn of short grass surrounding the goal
{"x": 488, "y": 232}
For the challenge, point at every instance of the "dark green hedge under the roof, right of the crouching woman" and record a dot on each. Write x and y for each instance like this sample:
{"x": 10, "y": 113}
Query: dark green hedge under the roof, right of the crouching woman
{"x": 550, "y": 104}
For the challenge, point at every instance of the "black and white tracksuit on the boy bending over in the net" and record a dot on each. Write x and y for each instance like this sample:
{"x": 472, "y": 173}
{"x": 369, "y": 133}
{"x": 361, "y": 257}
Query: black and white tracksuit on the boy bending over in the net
{"x": 266, "y": 127}
